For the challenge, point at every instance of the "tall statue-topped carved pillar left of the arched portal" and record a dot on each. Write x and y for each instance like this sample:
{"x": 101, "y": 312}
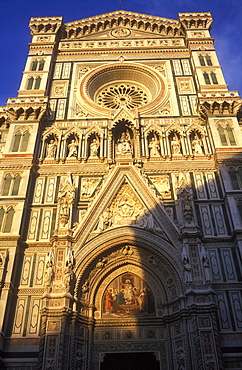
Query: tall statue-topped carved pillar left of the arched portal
{"x": 59, "y": 279}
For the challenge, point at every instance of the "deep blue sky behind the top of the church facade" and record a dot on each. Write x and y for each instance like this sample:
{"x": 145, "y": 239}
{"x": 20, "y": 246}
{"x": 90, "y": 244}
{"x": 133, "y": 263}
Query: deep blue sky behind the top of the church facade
{"x": 15, "y": 35}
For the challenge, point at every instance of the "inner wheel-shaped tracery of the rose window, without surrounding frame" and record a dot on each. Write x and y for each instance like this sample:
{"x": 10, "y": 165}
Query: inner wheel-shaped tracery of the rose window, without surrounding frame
{"x": 118, "y": 95}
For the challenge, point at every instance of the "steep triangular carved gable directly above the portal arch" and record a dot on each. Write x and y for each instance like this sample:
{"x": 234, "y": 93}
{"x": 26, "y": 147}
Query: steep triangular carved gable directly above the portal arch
{"x": 125, "y": 200}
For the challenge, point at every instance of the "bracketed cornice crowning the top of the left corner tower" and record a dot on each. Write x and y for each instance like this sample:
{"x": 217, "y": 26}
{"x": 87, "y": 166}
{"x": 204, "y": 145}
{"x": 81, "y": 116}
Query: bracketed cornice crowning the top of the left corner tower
{"x": 45, "y": 25}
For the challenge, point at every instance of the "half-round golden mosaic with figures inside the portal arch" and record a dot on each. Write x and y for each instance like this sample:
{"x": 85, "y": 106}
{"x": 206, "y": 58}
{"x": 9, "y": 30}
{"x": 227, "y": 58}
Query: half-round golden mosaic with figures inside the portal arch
{"x": 127, "y": 296}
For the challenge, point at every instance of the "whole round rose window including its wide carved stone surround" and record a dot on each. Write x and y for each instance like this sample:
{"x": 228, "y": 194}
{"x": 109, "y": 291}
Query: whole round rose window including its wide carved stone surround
{"x": 132, "y": 86}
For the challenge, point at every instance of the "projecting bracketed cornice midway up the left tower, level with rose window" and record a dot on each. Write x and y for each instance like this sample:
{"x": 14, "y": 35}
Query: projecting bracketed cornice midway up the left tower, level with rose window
{"x": 23, "y": 109}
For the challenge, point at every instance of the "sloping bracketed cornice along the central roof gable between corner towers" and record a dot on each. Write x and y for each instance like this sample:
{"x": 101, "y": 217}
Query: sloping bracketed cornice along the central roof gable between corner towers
{"x": 121, "y": 18}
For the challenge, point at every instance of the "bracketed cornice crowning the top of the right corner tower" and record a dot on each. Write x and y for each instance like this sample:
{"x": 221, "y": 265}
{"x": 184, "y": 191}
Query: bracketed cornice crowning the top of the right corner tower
{"x": 195, "y": 20}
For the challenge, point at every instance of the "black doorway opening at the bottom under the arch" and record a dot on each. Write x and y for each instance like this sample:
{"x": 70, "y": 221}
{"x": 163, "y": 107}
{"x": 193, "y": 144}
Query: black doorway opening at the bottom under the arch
{"x": 130, "y": 361}
